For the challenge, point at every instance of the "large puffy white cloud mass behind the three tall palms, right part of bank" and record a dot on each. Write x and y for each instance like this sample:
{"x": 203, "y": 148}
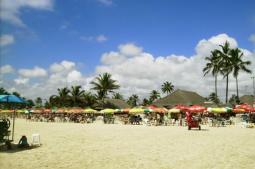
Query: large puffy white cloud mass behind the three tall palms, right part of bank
{"x": 140, "y": 72}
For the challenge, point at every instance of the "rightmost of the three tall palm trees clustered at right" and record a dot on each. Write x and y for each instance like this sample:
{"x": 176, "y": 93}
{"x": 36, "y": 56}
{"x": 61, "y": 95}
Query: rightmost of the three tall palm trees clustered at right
{"x": 238, "y": 65}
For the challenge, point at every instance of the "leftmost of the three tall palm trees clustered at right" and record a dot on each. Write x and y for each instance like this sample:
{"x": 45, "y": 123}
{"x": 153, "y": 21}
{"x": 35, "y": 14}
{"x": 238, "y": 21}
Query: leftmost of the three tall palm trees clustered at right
{"x": 213, "y": 66}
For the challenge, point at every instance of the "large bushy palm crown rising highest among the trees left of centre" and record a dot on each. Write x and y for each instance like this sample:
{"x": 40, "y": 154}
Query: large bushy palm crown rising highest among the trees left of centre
{"x": 104, "y": 84}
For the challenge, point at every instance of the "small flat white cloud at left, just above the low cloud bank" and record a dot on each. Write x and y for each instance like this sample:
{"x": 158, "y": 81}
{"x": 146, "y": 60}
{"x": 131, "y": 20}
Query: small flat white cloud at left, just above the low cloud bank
{"x": 35, "y": 72}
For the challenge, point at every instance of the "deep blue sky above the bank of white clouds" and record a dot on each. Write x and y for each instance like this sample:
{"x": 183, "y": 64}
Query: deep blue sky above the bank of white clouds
{"x": 81, "y": 31}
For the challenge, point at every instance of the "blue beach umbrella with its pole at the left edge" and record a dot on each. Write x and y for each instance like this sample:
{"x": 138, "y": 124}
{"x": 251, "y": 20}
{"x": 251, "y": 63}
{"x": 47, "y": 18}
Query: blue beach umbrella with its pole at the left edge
{"x": 11, "y": 99}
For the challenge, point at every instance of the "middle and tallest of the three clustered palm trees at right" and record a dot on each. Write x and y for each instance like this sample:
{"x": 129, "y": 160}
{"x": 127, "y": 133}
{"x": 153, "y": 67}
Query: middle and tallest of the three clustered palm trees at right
{"x": 225, "y": 64}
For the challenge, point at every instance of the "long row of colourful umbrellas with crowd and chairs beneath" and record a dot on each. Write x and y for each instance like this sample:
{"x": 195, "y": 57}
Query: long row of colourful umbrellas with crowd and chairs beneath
{"x": 150, "y": 115}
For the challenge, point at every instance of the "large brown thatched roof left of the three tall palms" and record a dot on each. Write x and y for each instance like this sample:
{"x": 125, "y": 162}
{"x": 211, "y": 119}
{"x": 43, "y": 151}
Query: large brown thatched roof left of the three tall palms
{"x": 180, "y": 97}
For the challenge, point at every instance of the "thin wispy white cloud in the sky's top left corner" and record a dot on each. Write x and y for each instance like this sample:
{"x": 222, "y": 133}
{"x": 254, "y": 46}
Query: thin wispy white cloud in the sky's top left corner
{"x": 10, "y": 9}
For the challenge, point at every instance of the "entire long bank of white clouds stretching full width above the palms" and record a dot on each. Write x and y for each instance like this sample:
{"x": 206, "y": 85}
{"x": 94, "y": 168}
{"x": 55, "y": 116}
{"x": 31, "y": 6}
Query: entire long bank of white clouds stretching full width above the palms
{"x": 139, "y": 72}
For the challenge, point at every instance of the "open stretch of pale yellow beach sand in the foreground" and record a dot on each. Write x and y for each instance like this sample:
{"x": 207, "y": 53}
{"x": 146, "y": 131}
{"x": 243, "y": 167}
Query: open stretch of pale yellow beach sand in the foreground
{"x": 94, "y": 146}
